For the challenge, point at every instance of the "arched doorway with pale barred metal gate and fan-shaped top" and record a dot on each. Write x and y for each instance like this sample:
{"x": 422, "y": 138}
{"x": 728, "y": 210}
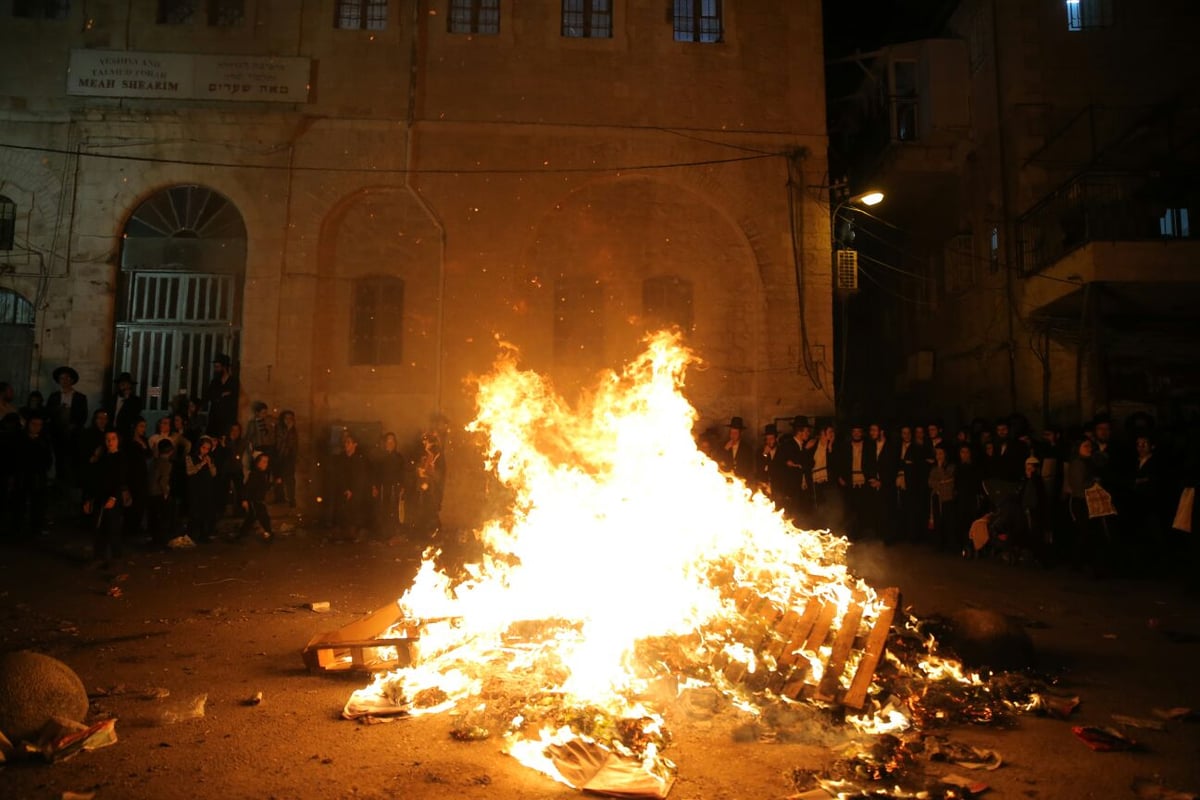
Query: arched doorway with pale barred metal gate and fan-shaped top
{"x": 183, "y": 263}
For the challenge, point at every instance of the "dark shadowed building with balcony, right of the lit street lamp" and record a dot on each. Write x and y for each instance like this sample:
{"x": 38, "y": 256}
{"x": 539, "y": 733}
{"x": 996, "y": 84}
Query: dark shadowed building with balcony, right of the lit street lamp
{"x": 1040, "y": 160}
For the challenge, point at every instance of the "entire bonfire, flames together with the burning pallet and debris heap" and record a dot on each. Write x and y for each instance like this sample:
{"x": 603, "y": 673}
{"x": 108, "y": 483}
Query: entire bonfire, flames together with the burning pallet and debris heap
{"x": 645, "y": 572}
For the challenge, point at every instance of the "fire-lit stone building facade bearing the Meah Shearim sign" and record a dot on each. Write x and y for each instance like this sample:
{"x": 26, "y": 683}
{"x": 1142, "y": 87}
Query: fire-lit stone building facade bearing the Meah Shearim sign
{"x": 359, "y": 200}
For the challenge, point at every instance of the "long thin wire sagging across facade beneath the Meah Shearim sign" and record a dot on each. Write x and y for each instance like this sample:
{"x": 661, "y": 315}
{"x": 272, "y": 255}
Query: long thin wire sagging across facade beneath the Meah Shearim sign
{"x": 391, "y": 171}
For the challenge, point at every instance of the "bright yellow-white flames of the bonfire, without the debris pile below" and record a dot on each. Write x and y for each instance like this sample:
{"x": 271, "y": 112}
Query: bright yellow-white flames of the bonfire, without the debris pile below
{"x": 620, "y": 531}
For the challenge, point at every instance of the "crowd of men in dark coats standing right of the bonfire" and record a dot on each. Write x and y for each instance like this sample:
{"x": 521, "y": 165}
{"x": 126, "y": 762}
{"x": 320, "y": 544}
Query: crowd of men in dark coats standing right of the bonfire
{"x": 1089, "y": 498}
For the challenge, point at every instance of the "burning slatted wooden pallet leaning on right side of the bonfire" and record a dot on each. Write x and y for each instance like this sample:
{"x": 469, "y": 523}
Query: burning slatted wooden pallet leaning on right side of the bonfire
{"x": 808, "y": 629}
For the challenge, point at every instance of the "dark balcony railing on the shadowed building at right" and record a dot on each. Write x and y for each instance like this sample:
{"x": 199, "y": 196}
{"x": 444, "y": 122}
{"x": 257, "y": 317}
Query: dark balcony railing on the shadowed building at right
{"x": 1102, "y": 207}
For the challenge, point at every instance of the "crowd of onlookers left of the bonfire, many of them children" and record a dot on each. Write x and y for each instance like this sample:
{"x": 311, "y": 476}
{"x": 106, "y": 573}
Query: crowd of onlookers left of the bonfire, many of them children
{"x": 170, "y": 484}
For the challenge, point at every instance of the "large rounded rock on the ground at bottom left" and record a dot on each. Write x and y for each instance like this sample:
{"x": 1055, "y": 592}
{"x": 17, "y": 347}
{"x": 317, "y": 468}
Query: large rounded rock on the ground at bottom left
{"x": 35, "y": 688}
